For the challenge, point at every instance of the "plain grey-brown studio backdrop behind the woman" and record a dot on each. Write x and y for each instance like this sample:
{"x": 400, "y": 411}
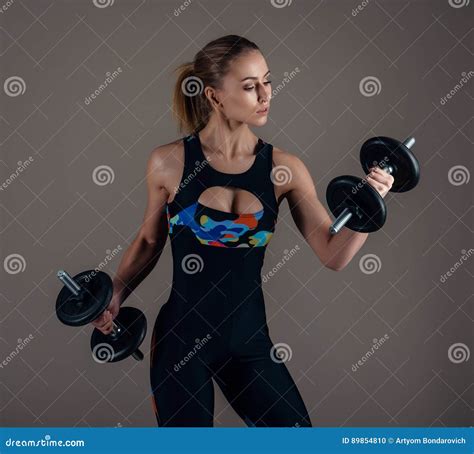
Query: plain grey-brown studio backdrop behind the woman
{"x": 55, "y": 216}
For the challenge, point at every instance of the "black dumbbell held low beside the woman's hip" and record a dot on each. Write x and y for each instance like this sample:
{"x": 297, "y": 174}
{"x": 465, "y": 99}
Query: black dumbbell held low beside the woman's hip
{"x": 85, "y": 297}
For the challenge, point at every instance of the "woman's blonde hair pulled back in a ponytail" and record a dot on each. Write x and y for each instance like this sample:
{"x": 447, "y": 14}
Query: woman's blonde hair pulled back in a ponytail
{"x": 191, "y": 108}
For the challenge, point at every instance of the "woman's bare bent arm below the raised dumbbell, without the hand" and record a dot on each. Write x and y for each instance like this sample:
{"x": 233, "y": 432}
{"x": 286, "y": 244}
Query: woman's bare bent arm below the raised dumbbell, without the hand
{"x": 313, "y": 220}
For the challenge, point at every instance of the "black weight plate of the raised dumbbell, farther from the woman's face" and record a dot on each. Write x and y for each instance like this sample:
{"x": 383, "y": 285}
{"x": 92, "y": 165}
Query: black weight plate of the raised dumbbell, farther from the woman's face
{"x": 406, "y": 169}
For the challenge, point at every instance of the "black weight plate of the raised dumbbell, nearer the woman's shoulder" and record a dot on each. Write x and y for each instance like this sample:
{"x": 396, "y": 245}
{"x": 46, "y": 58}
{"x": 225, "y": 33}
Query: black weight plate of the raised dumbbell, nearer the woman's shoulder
{"x": 348, "y": 191}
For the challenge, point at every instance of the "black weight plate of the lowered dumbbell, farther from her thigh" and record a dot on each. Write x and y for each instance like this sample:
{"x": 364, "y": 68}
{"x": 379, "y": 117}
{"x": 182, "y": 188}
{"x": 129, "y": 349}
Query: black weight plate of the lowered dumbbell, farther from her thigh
{"x": 90, "y": 303}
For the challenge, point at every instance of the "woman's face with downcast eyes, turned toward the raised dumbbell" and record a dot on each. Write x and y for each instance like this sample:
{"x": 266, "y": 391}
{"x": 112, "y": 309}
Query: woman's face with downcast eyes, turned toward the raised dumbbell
{"x": 246, "y": 89}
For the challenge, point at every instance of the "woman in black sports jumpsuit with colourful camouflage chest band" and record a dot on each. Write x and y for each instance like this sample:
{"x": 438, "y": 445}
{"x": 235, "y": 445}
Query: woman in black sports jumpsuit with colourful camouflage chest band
{"x": 216, "y": 193}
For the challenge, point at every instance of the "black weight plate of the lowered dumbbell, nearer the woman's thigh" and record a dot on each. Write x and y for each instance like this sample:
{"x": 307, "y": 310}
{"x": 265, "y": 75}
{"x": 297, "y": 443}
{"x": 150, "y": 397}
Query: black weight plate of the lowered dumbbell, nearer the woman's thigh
{"x": 109, "y": 348}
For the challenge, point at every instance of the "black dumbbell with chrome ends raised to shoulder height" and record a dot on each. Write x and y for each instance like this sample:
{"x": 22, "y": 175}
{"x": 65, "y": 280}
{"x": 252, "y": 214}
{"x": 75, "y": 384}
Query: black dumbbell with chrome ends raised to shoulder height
{"x": 354, "y": 202}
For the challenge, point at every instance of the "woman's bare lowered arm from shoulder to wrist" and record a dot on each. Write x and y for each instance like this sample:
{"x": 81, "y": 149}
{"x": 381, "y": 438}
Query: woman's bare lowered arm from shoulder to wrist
{"x": 145, "y": 250}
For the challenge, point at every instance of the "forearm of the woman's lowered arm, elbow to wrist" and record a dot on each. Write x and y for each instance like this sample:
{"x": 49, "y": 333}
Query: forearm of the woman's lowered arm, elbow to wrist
{"x": 138, "y": 261}
